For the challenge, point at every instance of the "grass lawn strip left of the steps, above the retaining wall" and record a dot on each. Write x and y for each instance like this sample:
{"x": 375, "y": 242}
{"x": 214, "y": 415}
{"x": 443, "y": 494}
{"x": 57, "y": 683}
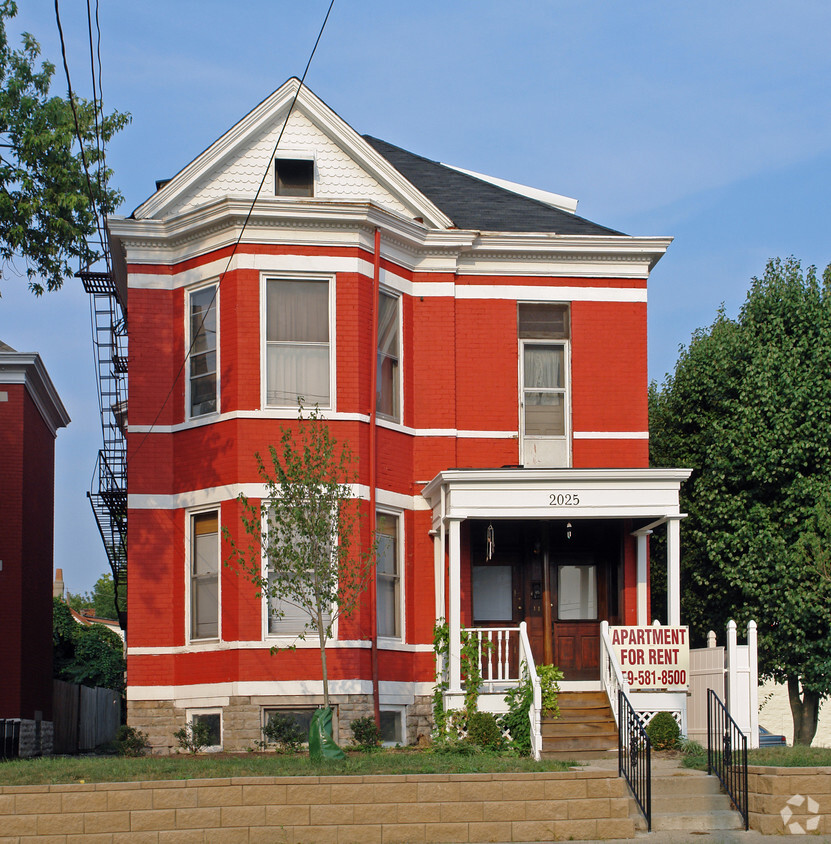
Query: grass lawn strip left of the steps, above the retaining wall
{"x": 69, "y": 769}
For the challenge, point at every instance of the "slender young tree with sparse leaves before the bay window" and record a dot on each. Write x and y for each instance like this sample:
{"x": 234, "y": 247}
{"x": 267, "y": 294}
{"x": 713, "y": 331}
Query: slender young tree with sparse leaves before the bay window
{"x": 303, "y": 543}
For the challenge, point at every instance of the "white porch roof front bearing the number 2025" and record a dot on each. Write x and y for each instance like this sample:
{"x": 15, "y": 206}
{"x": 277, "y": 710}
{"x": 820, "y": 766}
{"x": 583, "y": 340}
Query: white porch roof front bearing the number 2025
{"x": 517, "y": 493}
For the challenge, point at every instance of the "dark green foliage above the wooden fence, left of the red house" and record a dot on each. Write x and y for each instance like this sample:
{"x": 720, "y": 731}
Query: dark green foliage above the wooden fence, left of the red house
{"x": 90, "y": 656}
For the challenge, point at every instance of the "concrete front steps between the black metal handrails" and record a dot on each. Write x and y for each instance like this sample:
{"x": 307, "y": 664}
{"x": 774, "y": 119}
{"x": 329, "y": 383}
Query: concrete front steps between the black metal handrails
{"x": 684, "y": 800}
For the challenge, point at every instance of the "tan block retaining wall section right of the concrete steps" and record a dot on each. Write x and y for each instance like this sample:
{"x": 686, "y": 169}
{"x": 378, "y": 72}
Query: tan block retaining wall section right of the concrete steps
{"x": 789, "y": 801}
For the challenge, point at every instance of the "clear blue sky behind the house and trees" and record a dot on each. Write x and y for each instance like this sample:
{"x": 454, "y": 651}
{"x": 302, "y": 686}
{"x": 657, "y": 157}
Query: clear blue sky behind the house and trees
{"x": 709, "y": 122}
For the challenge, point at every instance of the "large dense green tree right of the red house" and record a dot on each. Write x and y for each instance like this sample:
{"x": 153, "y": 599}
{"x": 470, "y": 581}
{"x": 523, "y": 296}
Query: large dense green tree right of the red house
{"x": 748, "y": 407}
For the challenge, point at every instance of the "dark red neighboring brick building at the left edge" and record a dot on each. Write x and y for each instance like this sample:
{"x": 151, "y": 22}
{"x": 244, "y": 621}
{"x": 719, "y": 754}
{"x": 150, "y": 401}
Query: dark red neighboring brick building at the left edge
{"x": 30, "y": 414}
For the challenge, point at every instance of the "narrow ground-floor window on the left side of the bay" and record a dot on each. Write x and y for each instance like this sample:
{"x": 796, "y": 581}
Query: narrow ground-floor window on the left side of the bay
{"x": 204, "y": 575}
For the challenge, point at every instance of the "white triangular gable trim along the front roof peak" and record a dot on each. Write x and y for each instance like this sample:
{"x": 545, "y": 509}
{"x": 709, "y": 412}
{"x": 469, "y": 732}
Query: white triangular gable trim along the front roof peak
{"x": 256, "y": 121}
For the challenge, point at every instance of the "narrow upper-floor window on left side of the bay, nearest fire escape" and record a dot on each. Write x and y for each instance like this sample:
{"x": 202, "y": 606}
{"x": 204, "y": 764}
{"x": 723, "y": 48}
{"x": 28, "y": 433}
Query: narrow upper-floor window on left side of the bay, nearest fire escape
{"x": 202, "y": 345}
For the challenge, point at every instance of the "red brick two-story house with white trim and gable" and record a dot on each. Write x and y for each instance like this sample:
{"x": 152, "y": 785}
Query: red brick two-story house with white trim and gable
{"x": 511, "y": 333}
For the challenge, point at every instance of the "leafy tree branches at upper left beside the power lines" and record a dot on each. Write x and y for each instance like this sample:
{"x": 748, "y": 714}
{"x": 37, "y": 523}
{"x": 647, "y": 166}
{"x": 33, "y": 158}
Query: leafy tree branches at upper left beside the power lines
{"x": 47, "y": 203}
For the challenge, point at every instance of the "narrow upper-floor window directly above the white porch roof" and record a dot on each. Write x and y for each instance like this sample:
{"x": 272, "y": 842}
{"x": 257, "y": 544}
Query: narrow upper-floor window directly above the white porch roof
{"x": 544, "y": 390}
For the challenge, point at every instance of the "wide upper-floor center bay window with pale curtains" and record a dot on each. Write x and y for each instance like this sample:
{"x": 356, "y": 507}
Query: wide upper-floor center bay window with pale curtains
{"x": 298, "y": 349}
